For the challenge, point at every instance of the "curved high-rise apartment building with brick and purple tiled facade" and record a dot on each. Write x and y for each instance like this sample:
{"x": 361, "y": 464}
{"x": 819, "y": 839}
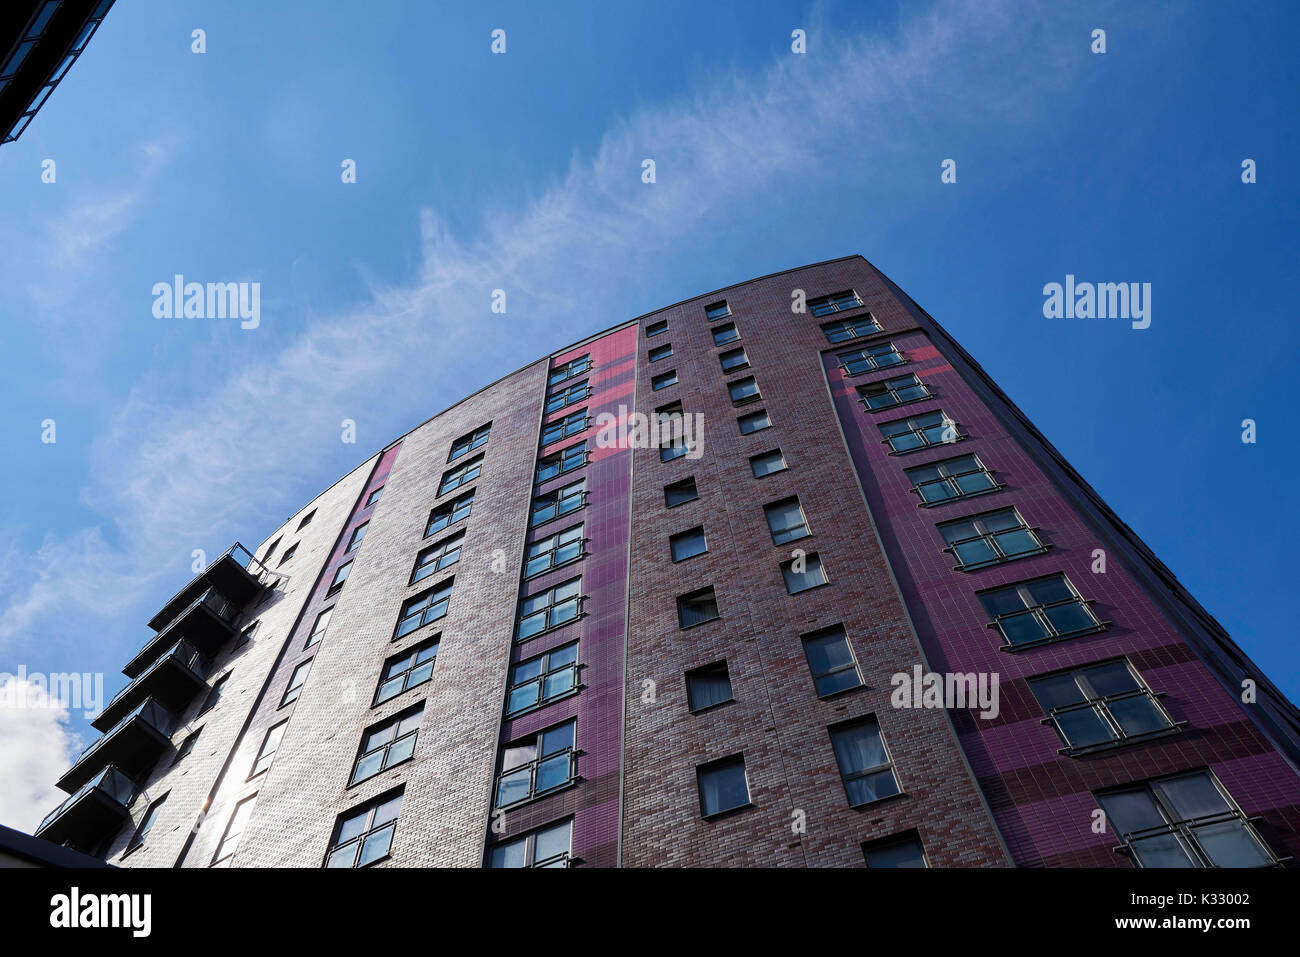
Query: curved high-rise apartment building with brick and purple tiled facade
{"x": 657, "y": 599}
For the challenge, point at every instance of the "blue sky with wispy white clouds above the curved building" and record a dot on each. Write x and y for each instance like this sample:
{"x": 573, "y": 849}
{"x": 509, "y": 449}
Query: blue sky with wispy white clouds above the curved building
{"x": 523, "y": 172}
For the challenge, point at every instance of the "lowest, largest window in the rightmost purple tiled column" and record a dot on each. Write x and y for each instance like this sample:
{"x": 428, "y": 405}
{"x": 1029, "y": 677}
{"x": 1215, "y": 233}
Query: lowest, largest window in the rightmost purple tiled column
{"x": 1184, "y": 821}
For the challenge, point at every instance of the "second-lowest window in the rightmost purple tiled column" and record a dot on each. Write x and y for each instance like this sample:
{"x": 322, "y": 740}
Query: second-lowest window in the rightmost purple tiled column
{"x": 1100, "y": 705}
